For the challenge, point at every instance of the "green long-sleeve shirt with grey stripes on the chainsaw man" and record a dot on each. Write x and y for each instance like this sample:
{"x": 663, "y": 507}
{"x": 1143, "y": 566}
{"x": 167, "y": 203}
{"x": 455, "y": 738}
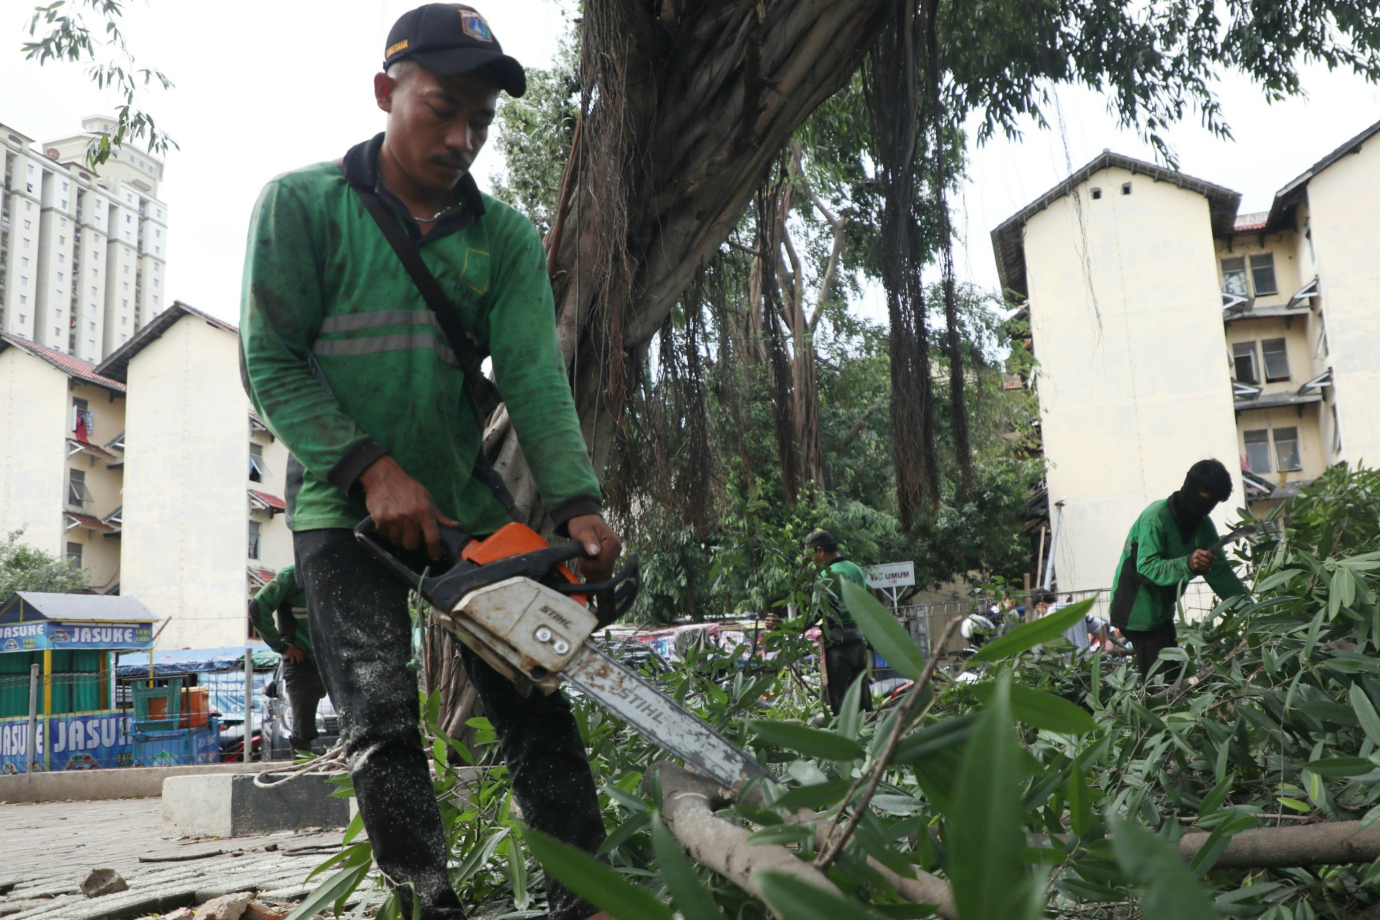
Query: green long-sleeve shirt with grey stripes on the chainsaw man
{"x": 346, "y": 363}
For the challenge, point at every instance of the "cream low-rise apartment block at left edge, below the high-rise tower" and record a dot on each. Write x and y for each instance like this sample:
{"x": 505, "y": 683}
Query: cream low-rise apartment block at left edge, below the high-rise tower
{"x": 63, "y": 457}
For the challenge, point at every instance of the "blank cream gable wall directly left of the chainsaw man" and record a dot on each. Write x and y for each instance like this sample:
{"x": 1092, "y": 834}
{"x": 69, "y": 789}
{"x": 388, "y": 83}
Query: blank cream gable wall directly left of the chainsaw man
{"x": 187, "y": 454}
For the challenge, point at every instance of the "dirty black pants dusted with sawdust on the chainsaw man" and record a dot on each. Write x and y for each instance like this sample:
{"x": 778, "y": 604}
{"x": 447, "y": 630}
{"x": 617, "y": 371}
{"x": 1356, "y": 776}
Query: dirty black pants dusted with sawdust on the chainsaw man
{"x": 364, "y": 642}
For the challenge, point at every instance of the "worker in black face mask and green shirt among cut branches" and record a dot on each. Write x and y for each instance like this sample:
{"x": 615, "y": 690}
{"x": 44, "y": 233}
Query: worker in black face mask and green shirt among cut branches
{"x": 1168, "y": 548}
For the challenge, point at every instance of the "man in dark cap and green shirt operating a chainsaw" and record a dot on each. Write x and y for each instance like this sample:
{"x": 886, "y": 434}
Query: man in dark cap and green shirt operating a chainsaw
{"x": 373, "y": 288}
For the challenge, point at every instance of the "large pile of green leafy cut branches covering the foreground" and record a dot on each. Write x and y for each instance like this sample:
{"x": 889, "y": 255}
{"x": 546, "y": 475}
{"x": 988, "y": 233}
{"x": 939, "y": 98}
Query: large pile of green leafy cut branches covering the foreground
{"x": 1036, "y": 783}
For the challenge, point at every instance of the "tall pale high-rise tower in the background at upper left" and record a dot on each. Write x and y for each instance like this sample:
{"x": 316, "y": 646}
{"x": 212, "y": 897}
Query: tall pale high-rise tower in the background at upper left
{"x": 82, "y": 254}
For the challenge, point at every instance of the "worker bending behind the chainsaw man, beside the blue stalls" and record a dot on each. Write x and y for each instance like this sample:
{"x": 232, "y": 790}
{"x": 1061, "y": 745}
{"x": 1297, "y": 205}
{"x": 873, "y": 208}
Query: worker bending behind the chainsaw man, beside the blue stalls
{"x": 279, "y": 614}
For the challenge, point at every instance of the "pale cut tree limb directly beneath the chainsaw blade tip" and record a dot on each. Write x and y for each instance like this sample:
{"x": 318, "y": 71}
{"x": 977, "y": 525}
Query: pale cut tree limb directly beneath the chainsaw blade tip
{"x": 688, "y": 805}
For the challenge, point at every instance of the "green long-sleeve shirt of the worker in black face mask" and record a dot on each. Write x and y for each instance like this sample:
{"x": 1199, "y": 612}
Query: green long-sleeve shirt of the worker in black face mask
{"x": 1154, "y": 569}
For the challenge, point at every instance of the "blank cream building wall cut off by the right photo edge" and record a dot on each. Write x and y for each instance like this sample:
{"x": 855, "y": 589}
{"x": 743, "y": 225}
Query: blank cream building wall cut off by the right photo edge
{"x": 1342, "y": 206}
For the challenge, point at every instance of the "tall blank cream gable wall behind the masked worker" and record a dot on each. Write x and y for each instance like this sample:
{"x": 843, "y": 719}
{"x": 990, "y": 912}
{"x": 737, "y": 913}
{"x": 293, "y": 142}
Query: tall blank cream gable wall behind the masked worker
{"x": 1132, "y": 383}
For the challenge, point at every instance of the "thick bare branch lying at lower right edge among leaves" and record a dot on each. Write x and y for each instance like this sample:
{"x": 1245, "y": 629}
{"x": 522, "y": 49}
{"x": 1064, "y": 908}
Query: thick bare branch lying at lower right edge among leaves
{"x": 1335, "y": 843}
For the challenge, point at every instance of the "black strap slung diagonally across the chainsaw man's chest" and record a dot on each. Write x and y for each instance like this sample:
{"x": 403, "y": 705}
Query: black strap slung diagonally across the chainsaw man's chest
{"x": 482, "y": 392}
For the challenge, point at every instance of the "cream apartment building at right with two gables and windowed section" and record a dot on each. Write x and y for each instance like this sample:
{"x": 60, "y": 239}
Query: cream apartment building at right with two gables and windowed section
{"x": 1170, "y": 329}
